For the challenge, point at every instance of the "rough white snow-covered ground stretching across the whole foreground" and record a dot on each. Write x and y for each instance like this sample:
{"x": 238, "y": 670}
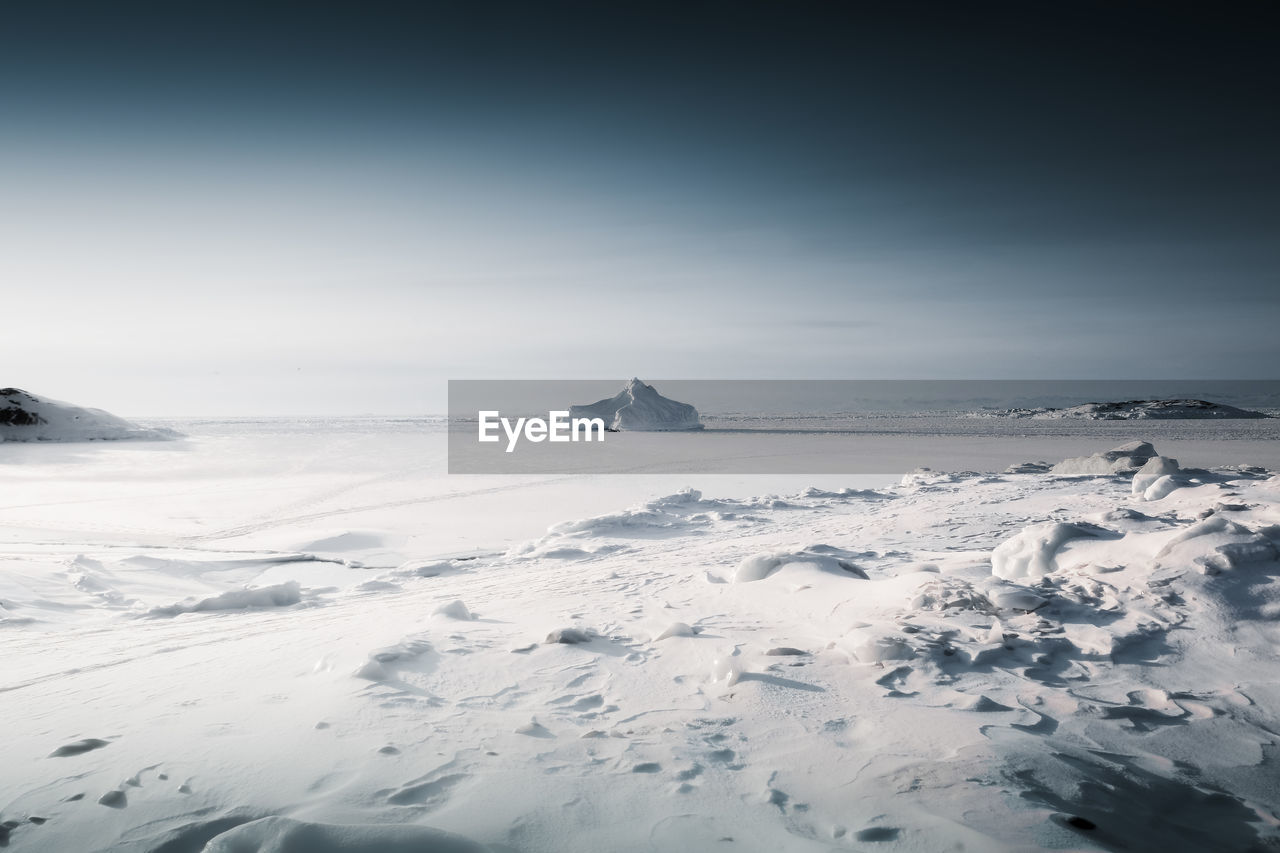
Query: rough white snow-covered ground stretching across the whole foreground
{"x": 301, "y": 637}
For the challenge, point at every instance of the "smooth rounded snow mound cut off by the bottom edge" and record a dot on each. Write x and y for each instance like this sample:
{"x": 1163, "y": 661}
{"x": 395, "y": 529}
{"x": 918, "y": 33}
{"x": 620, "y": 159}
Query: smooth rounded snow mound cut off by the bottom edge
{"x": 287, "y": 836}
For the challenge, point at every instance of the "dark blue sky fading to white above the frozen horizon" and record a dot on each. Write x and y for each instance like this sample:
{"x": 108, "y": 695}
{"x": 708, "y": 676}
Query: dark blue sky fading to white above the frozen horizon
{"x": 335, "y": 209}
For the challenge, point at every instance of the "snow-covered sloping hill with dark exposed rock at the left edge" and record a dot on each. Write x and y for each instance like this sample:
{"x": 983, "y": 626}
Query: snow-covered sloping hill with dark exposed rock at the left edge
{"x": 28, "y": 418}
